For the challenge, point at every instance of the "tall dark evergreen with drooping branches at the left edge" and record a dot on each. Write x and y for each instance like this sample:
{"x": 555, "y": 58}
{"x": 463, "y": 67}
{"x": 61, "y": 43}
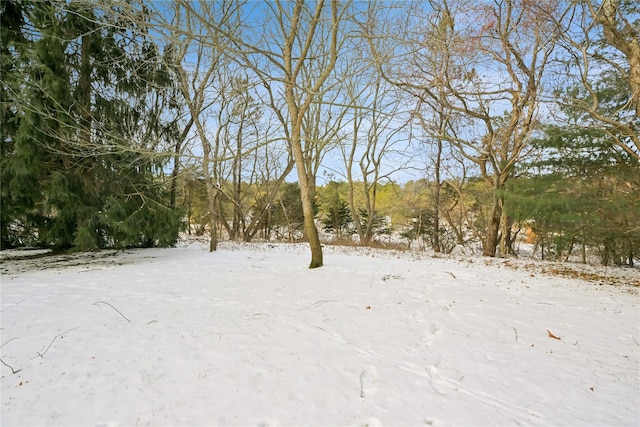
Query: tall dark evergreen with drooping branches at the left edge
{"x": 80, "y": 169}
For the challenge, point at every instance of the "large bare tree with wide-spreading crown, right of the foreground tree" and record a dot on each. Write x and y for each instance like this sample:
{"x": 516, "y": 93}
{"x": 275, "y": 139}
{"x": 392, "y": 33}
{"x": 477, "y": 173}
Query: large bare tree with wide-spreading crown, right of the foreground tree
{"x": 495, "y": 61}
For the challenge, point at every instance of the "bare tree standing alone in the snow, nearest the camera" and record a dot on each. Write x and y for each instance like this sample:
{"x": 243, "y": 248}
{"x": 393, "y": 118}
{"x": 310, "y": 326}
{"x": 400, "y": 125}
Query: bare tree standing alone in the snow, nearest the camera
{"x": 283, "y": 52}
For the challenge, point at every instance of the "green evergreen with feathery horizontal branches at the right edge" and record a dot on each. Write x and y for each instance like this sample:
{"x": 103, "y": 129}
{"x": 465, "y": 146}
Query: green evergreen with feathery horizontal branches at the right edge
{"x": 583, "y": 192}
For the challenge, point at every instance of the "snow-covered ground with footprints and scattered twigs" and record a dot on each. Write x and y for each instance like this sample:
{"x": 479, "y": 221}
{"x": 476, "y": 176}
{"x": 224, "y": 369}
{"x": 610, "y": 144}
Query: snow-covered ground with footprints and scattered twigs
{"x": 249, "y": 336}
